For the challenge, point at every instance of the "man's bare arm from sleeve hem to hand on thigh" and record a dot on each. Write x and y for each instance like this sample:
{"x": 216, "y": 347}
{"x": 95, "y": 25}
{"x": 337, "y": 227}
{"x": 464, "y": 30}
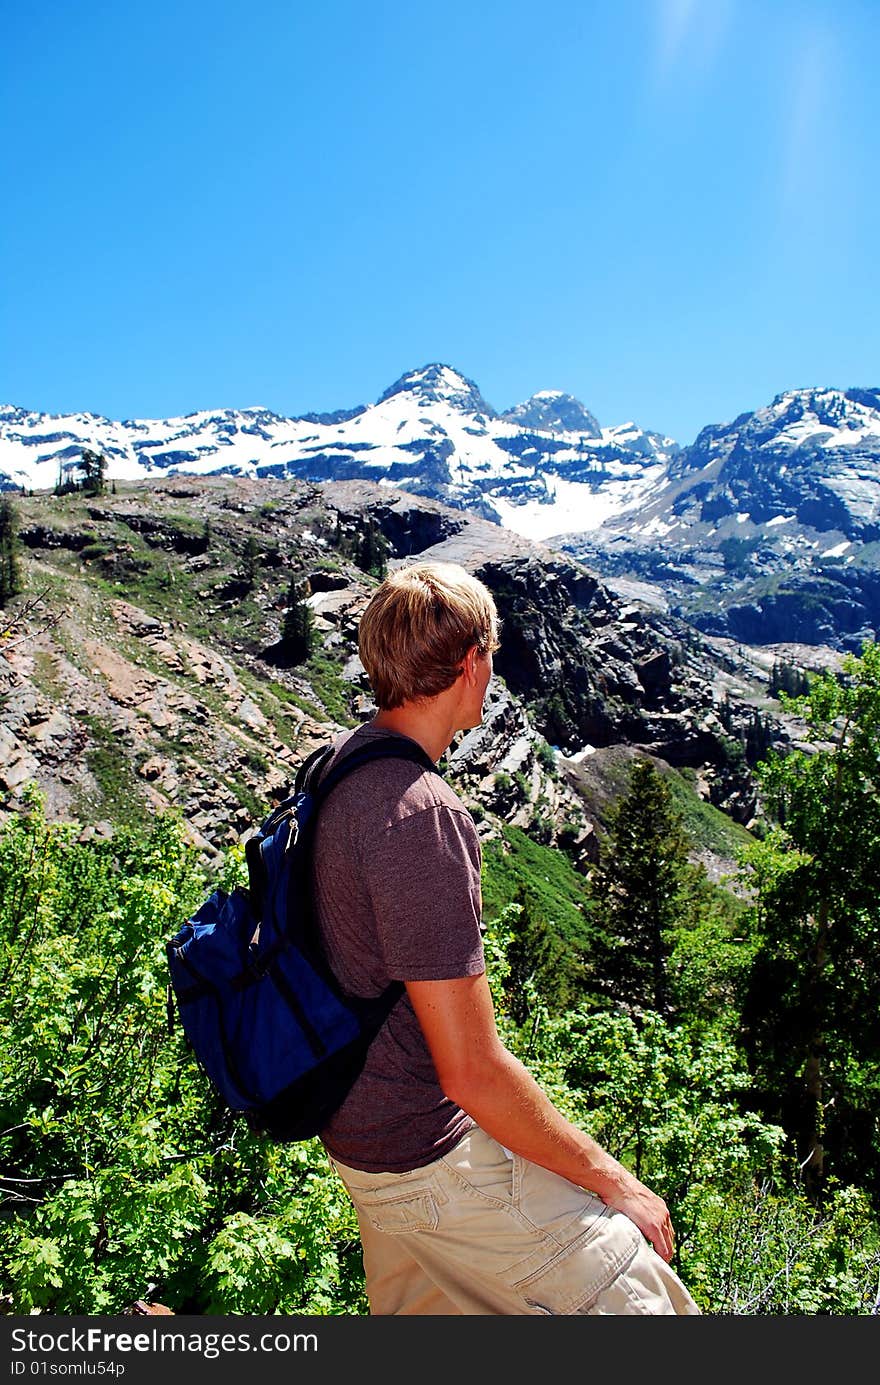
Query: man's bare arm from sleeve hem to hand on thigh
{"x": 484, "y": 1078}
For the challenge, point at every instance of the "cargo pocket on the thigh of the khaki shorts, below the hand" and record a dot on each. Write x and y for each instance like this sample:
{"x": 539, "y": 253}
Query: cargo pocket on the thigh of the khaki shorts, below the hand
{"x": 574, "y": 1279}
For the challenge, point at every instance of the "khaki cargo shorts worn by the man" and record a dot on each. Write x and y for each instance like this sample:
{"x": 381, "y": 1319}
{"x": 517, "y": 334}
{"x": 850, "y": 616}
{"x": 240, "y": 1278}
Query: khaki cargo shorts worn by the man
{"x": 486, "y": 1232}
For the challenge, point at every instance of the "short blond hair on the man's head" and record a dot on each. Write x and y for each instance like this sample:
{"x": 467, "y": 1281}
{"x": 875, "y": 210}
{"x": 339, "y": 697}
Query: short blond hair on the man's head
{"x": 419, "y": 627}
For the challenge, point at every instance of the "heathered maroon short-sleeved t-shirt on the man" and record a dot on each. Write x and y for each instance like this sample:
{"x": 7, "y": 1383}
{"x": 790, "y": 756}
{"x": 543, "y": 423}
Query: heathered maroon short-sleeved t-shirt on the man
{"x": 397, "y": 879}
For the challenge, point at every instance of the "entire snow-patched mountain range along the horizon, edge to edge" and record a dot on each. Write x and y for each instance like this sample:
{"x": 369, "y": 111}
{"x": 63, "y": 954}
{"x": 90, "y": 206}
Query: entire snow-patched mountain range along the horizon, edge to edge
{"x": 764, "y": 530}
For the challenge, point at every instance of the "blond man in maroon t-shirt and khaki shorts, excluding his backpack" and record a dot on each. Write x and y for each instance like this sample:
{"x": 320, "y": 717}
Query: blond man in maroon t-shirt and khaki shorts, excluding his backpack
{"x": 475, "y": 1196}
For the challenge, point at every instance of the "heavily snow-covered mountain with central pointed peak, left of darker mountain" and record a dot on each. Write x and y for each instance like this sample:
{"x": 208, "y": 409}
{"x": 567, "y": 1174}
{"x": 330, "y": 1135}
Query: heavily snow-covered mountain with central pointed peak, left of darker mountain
{"x": 540, "y": 469}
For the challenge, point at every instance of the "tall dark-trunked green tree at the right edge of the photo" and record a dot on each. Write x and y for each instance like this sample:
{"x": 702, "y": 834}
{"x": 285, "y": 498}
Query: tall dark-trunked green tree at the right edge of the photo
{"x": 813, "y": 1015}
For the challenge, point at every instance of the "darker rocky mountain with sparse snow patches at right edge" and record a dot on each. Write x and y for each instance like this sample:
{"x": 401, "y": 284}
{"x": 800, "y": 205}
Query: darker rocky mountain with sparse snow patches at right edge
{"x": 766, "y": 528}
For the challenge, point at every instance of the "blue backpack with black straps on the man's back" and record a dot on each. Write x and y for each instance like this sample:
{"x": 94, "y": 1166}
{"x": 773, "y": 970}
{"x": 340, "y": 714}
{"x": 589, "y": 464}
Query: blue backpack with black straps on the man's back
{"x": 260, "y": 1006}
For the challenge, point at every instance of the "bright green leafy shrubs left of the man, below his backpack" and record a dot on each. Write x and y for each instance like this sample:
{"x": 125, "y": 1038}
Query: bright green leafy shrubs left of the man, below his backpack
{"x": 120, "y": 1168}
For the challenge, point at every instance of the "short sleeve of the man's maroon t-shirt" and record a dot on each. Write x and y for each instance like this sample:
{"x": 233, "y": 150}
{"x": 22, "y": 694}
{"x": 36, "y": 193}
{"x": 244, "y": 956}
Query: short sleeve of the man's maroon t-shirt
{"x": 425, "y": 886}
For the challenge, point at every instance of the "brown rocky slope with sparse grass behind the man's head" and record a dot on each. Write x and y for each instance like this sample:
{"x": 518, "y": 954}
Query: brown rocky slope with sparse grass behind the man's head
{"x": 143, "y": 670}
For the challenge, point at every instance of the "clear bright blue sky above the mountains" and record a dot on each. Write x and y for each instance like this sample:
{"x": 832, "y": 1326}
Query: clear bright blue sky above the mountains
{"x": 669, "y": 208}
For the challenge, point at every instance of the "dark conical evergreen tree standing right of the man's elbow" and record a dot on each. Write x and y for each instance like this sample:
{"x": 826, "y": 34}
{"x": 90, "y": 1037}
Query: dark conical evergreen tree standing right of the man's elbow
{"x": 640, "y": 890}
